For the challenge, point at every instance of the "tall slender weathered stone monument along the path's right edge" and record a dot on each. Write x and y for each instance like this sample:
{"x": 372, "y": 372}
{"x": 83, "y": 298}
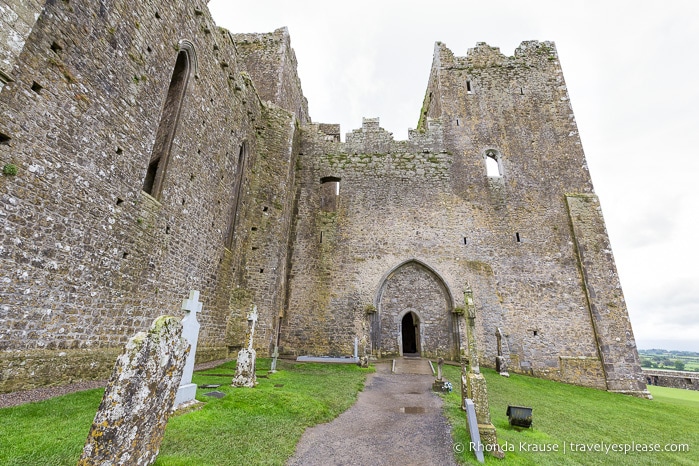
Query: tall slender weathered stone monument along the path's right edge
{"x": 476, "y": 389}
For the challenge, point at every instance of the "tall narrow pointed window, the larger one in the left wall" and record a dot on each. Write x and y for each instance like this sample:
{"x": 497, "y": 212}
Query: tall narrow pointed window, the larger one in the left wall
{"x": 157, "y": 167}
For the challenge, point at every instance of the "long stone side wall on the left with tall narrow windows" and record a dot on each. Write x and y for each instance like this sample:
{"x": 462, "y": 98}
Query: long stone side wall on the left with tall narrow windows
{"x": 88, "y": 258}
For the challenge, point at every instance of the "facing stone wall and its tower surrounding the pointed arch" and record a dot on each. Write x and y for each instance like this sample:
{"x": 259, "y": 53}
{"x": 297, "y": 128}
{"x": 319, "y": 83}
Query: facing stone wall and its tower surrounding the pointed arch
{"x": 430, "y": 200}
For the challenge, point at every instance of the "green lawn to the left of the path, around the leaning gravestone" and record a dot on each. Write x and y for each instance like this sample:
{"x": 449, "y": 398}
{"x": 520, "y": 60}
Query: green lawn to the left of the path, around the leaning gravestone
{"x": 247, "y": 426}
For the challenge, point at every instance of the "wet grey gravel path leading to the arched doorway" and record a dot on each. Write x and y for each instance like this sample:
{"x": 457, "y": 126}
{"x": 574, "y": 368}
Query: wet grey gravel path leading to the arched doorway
{"x": 397, "y": 420}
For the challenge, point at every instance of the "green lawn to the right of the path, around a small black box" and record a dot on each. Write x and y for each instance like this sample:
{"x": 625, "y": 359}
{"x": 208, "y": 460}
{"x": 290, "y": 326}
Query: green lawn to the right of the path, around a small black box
{"x": 567, "y": 414}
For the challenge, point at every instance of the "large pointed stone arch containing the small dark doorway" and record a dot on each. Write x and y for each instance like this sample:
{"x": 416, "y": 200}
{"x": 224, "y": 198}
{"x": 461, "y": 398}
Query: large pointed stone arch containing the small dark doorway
{"x": 414, "y": 313}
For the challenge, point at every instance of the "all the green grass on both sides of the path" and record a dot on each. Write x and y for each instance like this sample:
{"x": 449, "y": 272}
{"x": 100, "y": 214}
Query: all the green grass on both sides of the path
{"x": 262, "y": 425}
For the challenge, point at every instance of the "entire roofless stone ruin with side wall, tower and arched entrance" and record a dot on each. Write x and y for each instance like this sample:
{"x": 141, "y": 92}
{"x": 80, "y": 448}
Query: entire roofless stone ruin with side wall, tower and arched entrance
{"x": 157, "y": 153}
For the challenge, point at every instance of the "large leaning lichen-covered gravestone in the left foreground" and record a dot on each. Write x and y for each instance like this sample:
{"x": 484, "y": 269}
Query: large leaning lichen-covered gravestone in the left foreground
{"x": 130, "y": 422}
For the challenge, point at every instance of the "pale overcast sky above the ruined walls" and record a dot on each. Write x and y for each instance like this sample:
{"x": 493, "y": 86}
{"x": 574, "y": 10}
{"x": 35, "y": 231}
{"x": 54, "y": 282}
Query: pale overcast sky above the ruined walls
{"x": 631, "y": 68}
